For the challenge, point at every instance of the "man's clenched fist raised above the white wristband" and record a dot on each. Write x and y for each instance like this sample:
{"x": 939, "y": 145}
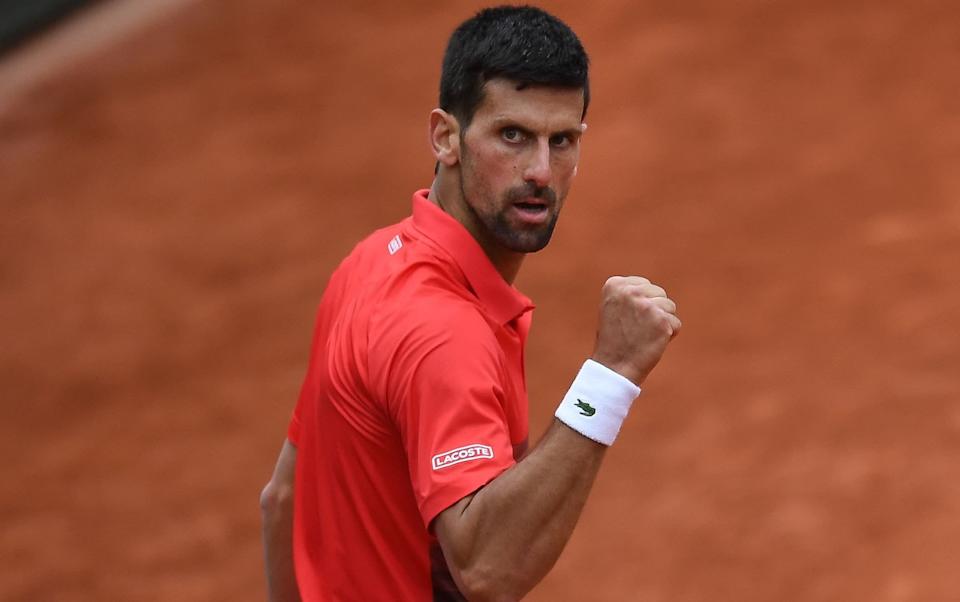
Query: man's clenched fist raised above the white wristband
{"x": 637, "y": 321}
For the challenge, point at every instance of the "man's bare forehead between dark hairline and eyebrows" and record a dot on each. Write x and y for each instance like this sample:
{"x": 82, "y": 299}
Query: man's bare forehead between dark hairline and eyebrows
{"x": 535, "y": 107}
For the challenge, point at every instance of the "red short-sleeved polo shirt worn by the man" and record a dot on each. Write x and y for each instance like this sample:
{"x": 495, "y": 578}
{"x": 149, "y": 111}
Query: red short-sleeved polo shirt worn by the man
{"x": 414, "y": 398}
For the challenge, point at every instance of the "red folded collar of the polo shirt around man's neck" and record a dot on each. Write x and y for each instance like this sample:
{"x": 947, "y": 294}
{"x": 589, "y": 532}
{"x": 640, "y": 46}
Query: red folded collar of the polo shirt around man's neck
{"x": 501, "y": 300}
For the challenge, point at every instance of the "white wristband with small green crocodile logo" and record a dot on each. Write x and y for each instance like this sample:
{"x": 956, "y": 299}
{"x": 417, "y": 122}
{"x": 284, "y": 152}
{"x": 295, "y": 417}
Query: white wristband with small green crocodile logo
{"x": 597, "y": 402}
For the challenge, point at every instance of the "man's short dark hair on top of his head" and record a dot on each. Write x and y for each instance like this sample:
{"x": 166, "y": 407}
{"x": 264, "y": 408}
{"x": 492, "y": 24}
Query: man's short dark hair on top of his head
{"x": 521, "y": 43}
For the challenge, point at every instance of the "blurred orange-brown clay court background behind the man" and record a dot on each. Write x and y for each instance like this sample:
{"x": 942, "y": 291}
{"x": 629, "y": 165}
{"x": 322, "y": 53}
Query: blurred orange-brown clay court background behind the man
{"x": 179, "y": 177}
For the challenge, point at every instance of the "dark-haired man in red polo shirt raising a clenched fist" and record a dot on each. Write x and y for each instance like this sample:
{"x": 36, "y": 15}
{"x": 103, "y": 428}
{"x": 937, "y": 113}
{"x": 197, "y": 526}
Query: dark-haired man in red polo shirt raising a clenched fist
{"x": 408, "y": 443}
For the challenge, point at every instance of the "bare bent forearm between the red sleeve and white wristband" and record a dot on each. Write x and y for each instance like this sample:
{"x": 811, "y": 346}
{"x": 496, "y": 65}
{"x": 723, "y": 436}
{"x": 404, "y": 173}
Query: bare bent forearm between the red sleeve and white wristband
{"x": 511, "y": 532}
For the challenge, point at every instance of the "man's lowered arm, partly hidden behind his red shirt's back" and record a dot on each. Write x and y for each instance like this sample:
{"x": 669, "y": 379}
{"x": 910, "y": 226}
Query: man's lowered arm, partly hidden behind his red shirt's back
{"x": 276, "y": 507}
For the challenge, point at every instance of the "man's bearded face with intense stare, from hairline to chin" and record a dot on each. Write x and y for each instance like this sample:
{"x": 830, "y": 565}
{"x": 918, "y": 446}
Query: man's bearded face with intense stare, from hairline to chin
{"x": 518, "y": 158}
